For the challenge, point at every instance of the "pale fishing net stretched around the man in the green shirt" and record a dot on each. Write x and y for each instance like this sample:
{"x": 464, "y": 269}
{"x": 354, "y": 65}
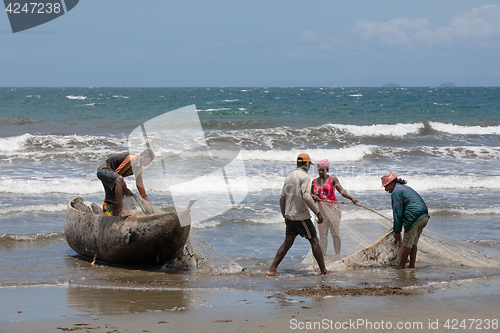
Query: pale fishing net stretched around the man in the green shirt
{"x": 384, "y": 251}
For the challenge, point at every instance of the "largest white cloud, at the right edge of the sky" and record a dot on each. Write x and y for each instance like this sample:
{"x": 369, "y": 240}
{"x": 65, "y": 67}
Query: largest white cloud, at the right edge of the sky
{"x": 479, "y": 23}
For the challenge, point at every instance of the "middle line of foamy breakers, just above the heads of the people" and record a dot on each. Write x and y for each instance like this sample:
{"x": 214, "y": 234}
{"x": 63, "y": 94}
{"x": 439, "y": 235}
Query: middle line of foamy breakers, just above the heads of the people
{"x": 255, "y": 146}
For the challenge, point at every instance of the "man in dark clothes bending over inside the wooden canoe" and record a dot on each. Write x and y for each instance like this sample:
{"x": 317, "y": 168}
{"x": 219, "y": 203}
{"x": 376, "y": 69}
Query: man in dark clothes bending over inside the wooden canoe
{"x": 112, "y": 172}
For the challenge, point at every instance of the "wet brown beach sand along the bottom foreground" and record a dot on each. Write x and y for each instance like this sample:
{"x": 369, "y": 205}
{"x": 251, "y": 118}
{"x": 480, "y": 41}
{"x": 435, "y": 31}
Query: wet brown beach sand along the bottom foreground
{"x": 465, "y": 305}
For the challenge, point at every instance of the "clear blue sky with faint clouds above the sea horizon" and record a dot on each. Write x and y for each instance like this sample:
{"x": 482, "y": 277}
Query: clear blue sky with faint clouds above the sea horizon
{"x": 221, "y": 43}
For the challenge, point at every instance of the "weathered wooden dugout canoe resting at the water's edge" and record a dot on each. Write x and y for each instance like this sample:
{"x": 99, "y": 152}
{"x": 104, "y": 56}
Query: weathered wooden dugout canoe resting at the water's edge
{"x": 146, "y": 240}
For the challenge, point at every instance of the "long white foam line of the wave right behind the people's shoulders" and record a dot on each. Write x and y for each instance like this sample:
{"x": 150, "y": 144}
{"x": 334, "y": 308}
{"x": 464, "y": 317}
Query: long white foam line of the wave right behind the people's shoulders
{"x": 269, "y": 183}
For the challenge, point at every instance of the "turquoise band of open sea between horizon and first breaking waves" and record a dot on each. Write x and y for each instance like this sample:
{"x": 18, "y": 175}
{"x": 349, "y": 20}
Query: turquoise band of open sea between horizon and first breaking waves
{"x": 39, "y": 108}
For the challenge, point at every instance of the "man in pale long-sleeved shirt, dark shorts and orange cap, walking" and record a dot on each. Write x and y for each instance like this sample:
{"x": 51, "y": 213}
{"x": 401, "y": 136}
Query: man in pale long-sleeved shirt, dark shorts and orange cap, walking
{"x": 294, "y": 200}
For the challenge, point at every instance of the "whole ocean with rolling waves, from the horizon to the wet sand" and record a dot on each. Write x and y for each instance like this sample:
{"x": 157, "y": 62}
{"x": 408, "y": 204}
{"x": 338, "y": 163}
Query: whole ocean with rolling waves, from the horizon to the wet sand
{"x": 444, "y": 141}
